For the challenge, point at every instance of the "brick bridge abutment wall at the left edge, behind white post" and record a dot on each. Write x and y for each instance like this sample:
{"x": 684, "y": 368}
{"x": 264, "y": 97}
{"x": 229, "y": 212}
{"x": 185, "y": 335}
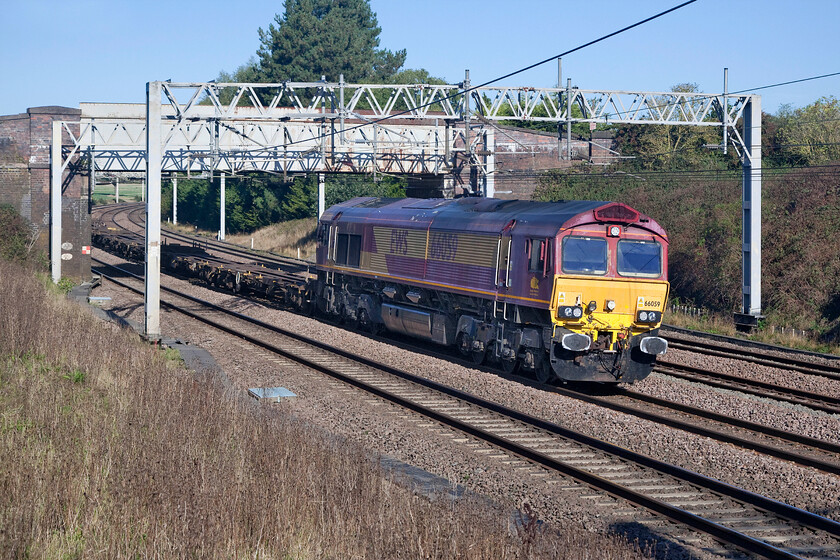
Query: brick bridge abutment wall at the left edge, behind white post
{"x": 25, "y": 141}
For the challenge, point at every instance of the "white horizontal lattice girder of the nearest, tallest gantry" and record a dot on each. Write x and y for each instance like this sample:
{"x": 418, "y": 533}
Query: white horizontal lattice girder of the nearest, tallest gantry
{"x": 309, "y": 100}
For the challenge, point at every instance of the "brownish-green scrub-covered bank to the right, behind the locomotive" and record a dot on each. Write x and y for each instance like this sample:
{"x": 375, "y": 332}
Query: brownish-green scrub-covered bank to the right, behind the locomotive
{"x": 701, "y": 211}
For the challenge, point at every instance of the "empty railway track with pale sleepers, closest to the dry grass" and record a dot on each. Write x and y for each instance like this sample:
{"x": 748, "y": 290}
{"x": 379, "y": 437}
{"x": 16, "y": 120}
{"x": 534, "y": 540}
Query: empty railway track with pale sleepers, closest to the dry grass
{"x": 729, "y": 514}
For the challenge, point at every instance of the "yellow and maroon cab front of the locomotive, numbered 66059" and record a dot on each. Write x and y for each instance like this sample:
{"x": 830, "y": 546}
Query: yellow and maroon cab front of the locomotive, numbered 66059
{"x": 609, "y": 295}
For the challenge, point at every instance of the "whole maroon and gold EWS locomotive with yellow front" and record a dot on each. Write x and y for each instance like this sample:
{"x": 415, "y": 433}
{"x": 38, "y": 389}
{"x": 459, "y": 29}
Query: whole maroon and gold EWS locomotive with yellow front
{"x": 565, "y": 291}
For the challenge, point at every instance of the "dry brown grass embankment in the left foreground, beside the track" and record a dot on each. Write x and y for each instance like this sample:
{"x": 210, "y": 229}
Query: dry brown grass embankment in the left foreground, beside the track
{"x": 110, "y": 450}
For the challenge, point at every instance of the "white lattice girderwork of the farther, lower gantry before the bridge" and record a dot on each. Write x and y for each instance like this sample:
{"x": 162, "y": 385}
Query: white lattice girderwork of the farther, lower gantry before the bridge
{"x": 265, "y": 146}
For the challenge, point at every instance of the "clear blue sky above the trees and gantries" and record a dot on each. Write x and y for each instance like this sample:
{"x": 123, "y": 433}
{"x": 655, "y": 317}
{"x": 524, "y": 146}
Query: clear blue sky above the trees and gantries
{"x": 56, "y": 52}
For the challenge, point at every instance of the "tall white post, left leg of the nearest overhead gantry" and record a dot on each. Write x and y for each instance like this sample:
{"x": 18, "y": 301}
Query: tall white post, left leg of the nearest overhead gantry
{"x": 154, "y": 161}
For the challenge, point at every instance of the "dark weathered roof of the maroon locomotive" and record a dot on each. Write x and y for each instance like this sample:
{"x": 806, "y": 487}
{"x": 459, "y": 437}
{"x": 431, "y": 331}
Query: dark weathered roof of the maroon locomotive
{"x": 475, "y": 214}
